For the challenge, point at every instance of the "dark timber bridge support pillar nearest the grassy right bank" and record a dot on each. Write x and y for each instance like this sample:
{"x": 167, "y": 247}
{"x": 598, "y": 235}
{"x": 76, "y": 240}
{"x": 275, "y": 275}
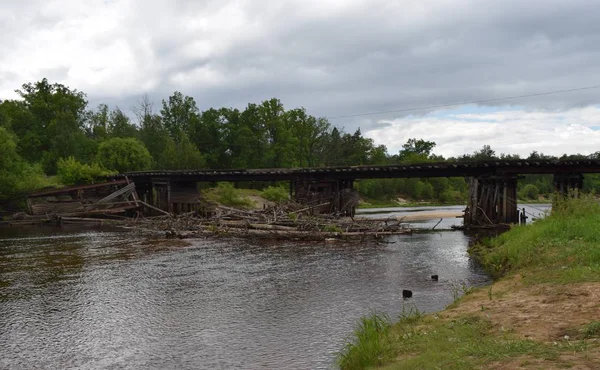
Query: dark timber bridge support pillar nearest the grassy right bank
{"x": 492, "y": 201}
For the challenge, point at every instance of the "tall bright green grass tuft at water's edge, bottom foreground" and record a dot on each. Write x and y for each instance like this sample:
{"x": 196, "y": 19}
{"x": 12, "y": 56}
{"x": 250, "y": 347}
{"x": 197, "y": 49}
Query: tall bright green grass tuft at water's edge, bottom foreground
{"x": 370, "y": 345}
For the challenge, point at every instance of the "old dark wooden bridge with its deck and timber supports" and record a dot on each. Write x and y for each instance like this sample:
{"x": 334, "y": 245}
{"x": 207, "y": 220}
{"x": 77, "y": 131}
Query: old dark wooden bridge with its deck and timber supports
{"x": 492, "y": 184}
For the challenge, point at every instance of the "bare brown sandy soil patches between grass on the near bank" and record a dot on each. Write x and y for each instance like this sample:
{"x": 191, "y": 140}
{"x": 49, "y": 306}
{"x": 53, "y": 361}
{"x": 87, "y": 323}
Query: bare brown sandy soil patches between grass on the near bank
{"x": 547, "y": 313}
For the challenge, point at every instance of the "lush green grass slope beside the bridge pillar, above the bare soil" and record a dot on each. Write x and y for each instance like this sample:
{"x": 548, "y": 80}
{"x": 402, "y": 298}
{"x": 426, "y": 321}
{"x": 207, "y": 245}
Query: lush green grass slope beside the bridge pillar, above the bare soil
{"x": 561, "y": 248}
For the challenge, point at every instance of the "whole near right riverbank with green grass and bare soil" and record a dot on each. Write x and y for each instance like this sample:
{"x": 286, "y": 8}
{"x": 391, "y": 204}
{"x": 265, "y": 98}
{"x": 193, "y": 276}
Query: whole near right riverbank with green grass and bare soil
{"x": 542, "y": 312}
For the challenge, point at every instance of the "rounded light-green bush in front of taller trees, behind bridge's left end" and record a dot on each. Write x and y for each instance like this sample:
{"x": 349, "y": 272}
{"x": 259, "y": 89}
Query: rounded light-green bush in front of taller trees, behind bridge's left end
{"x": 123, "y": 155}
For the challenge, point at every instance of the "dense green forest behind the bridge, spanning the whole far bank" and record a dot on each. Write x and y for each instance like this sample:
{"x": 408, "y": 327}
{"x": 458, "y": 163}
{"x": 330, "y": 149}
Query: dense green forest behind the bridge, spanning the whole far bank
{"x": 52, "y": 137}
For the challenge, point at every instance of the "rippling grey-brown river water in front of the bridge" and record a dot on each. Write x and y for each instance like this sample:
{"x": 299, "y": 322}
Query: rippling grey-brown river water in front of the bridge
{"x": 113, "y": 299}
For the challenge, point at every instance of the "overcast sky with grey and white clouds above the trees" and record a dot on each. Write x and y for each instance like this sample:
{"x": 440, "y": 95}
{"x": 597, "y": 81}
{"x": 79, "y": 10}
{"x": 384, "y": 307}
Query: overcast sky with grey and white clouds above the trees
{"x": 335, "y": 58}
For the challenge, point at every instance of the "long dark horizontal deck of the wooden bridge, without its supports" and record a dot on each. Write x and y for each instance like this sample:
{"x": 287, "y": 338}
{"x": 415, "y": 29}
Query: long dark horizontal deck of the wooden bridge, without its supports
{"x": 438, "y": 169}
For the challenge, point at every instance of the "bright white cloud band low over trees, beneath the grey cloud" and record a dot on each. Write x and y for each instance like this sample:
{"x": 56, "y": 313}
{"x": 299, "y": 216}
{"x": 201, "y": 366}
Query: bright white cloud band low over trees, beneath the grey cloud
{"x": 510, "y": 132}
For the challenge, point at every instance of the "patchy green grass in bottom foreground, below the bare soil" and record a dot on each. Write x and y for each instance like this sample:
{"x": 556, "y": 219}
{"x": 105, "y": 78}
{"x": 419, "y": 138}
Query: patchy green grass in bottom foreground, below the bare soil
{"x": 427, "y": 342}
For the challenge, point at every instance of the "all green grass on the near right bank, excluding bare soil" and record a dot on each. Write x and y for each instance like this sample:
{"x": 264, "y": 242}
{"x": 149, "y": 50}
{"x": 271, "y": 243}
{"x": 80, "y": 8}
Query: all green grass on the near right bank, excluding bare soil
{"x": 563, "y": 248}
